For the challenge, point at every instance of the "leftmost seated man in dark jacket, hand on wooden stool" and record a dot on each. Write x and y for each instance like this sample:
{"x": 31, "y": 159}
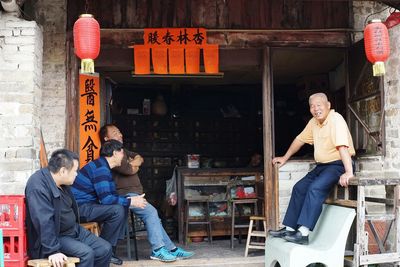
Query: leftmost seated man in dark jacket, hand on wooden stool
{"x": 52, "y": 216}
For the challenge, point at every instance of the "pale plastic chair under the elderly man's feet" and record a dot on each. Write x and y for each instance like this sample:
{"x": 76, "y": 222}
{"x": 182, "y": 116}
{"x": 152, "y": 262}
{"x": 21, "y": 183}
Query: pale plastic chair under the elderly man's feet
{"x": 326, "y": 243}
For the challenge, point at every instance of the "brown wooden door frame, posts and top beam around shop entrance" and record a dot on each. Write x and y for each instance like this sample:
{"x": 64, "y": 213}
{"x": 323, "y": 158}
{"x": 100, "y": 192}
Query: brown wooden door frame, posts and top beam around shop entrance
{"x": 234, "y": 39}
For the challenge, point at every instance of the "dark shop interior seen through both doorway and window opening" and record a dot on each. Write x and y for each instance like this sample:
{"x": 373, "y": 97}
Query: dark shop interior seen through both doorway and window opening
{"x": 220, "y": 118}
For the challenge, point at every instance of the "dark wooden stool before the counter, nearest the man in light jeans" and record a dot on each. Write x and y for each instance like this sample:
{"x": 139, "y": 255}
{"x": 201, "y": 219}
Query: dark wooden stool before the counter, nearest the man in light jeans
{"x": 206, "y": 221}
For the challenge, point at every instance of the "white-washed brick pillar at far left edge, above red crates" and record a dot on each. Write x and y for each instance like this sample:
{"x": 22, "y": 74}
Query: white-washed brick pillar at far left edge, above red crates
{"x": 21, "y": 45}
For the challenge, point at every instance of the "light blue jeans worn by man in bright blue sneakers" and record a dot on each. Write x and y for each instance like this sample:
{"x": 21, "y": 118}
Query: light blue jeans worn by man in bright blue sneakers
{"x": 155, "y": 231}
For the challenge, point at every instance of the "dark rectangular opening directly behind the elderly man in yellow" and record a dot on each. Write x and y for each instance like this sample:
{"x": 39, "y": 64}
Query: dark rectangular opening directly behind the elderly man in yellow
{"x": 298, "y": 73}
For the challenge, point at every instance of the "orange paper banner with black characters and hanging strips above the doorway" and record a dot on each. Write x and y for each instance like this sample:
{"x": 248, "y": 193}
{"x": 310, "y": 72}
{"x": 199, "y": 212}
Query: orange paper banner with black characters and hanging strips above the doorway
{"x": 175, "y": 51}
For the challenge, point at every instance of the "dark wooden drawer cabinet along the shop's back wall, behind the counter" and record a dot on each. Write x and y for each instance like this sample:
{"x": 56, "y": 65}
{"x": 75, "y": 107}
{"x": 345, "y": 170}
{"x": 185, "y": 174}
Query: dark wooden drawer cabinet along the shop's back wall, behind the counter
{"x": 164, "y": 142}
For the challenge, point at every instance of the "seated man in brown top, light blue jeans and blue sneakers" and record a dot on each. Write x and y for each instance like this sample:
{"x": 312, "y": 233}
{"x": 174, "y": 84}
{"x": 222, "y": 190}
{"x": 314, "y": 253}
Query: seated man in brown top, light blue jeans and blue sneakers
{"x": 128, "y": 183}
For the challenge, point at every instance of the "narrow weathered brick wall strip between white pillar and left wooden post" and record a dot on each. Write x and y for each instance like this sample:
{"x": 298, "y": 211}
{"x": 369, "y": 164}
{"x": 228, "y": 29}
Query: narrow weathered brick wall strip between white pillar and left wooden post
{"x": 52, "y": 16}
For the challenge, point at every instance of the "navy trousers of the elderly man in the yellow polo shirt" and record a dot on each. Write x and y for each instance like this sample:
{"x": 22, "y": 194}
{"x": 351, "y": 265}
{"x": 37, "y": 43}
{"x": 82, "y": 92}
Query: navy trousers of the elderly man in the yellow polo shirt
{"x": 309, "y": 194}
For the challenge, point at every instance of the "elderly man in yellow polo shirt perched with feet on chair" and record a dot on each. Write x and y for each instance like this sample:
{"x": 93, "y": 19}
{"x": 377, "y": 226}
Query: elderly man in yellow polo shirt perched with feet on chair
{"x": 327, "y": 131}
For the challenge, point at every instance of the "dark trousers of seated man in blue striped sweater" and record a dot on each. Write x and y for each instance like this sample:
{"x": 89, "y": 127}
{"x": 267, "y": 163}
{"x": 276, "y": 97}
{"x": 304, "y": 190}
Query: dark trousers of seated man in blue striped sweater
{"x": 111, "y": 217}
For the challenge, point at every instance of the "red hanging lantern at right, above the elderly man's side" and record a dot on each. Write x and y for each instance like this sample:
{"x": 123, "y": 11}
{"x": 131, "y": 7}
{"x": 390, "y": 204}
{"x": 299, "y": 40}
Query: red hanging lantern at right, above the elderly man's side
{"x": 377, "y": 49}
